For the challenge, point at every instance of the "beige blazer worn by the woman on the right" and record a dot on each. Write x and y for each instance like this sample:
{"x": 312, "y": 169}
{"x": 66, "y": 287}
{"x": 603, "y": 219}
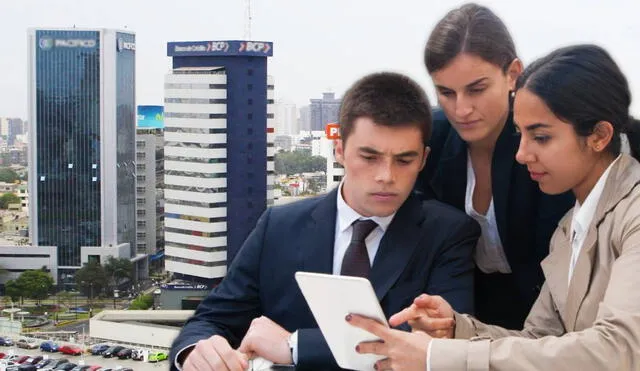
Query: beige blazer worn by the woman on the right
{"x": 593, "y": 324}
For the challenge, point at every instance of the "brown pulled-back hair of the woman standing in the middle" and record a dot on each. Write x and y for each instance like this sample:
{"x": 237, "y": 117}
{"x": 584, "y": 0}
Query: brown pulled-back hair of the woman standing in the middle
{"x": 472, "y": 29}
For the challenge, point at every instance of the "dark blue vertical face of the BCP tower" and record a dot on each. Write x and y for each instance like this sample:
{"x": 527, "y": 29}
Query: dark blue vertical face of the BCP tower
{"x": 246, "y": 139}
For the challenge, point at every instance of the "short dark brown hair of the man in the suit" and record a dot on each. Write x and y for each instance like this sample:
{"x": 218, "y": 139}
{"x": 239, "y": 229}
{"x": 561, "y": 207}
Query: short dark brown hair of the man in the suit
{"x": 389, "y": 99}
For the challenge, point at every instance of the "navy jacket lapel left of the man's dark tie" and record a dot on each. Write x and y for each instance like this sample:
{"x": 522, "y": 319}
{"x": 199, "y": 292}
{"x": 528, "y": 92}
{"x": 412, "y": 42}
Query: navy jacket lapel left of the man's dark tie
{"x": 319, "y": 236}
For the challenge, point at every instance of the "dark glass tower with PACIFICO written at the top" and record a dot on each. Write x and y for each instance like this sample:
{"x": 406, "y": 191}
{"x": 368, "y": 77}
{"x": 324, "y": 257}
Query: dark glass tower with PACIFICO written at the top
{"x": 82, "y": 146}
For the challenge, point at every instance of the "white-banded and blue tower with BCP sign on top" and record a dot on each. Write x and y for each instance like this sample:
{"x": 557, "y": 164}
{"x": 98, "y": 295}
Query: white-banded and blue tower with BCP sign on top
{"x": 218, "y": 152}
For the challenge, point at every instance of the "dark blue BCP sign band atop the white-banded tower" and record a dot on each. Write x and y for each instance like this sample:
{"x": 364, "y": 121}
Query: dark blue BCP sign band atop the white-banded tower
{"x": 228, "y": 48}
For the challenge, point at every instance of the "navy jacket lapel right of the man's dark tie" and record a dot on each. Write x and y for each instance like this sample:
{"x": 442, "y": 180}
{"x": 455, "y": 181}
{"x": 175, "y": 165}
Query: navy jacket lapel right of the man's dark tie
{"x": 397, "y": 246}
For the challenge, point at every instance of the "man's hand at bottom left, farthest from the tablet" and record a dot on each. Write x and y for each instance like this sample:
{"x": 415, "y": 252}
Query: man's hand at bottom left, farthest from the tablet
{"x": 215, "y": 354}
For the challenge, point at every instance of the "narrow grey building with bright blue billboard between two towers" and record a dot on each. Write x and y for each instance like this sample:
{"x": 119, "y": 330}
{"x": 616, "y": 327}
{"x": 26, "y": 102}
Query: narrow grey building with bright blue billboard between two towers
{"x": 149, "y": 182}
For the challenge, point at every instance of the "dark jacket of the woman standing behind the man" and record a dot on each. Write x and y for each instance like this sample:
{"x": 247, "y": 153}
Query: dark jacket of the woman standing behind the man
{"x": 526, "y": 218}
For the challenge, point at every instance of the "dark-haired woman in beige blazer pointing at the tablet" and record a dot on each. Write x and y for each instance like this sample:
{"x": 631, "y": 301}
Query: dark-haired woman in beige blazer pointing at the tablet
{"x": 570, "y": 108}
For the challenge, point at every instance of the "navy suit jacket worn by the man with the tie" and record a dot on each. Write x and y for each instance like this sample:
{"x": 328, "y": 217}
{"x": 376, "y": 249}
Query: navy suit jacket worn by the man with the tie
{"x": 428, "y": 247}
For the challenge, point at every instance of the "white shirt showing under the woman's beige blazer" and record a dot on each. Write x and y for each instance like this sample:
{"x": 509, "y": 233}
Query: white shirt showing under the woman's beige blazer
{"x": 582, "y": 217}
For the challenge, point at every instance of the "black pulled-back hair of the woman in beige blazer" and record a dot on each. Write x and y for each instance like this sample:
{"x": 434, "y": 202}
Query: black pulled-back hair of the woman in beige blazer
{"x": 583, "y": 85}
